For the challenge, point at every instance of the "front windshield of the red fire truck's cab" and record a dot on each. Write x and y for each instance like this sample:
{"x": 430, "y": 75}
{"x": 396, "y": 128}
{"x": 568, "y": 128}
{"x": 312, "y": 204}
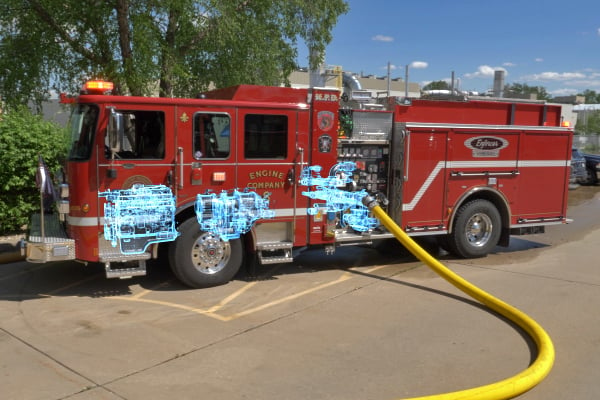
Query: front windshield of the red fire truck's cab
{"x": 82, "y": 127}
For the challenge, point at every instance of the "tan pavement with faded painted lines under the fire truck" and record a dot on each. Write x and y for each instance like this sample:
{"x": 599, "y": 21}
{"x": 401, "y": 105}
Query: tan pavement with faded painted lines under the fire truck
{"x": 356, "y": 325}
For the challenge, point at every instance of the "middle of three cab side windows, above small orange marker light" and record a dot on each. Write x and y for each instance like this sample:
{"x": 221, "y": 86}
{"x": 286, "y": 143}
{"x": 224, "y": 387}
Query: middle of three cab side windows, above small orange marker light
{"x": 212, "y": 135}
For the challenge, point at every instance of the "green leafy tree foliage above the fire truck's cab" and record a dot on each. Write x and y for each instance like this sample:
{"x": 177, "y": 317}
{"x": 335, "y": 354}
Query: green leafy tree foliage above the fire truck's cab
{"x": 176, "y": 46}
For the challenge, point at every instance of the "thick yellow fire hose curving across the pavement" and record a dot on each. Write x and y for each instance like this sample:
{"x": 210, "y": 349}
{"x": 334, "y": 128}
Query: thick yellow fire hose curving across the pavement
{"x": 507, "y": 388}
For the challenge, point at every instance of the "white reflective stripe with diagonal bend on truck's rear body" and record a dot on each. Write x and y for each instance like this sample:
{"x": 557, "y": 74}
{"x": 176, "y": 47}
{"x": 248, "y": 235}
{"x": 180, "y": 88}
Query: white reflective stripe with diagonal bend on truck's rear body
{"x": 478, "y": 164}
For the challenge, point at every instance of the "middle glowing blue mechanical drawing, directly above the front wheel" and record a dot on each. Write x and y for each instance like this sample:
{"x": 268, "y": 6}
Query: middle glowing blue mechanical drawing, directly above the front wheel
{"x": 230, "y": 215}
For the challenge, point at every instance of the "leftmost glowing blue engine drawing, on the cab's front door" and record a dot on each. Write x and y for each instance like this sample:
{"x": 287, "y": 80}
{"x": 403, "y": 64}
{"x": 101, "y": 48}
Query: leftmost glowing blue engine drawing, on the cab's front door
{"x": 137, "y": 217}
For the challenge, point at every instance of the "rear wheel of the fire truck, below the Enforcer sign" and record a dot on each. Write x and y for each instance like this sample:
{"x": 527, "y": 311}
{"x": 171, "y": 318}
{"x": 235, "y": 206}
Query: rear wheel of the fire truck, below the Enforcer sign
{"x": 476, "y": 230}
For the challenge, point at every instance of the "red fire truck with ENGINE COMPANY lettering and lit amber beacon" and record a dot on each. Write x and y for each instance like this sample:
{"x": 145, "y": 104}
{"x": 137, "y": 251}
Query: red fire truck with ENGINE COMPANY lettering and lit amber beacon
{"x": 471, "y": 172}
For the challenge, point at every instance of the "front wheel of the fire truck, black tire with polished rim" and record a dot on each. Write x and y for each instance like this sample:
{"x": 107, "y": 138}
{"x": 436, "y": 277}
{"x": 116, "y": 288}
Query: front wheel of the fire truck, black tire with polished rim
{"x": 201, "y": 259}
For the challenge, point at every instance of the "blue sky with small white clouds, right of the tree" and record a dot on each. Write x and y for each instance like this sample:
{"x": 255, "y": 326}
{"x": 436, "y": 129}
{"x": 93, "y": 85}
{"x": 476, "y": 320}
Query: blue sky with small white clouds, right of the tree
{"x": 550, "y": 43}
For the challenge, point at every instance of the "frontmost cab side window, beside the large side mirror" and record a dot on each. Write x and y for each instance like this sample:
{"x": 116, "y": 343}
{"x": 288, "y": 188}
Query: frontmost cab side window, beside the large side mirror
{"x": 144, "y": 135}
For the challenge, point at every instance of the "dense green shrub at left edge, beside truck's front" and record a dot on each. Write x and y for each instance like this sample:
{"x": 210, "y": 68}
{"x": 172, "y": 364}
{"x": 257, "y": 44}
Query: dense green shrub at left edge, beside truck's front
{"x": 24, "y": 136}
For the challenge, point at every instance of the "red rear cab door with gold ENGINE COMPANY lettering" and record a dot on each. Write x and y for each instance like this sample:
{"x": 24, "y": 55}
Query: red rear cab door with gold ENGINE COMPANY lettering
{"x": 268, "y": 163}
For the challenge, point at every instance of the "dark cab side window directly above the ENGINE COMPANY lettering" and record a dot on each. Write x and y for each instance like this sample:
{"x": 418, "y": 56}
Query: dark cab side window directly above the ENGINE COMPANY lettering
{"x": 265, "y": 136}
